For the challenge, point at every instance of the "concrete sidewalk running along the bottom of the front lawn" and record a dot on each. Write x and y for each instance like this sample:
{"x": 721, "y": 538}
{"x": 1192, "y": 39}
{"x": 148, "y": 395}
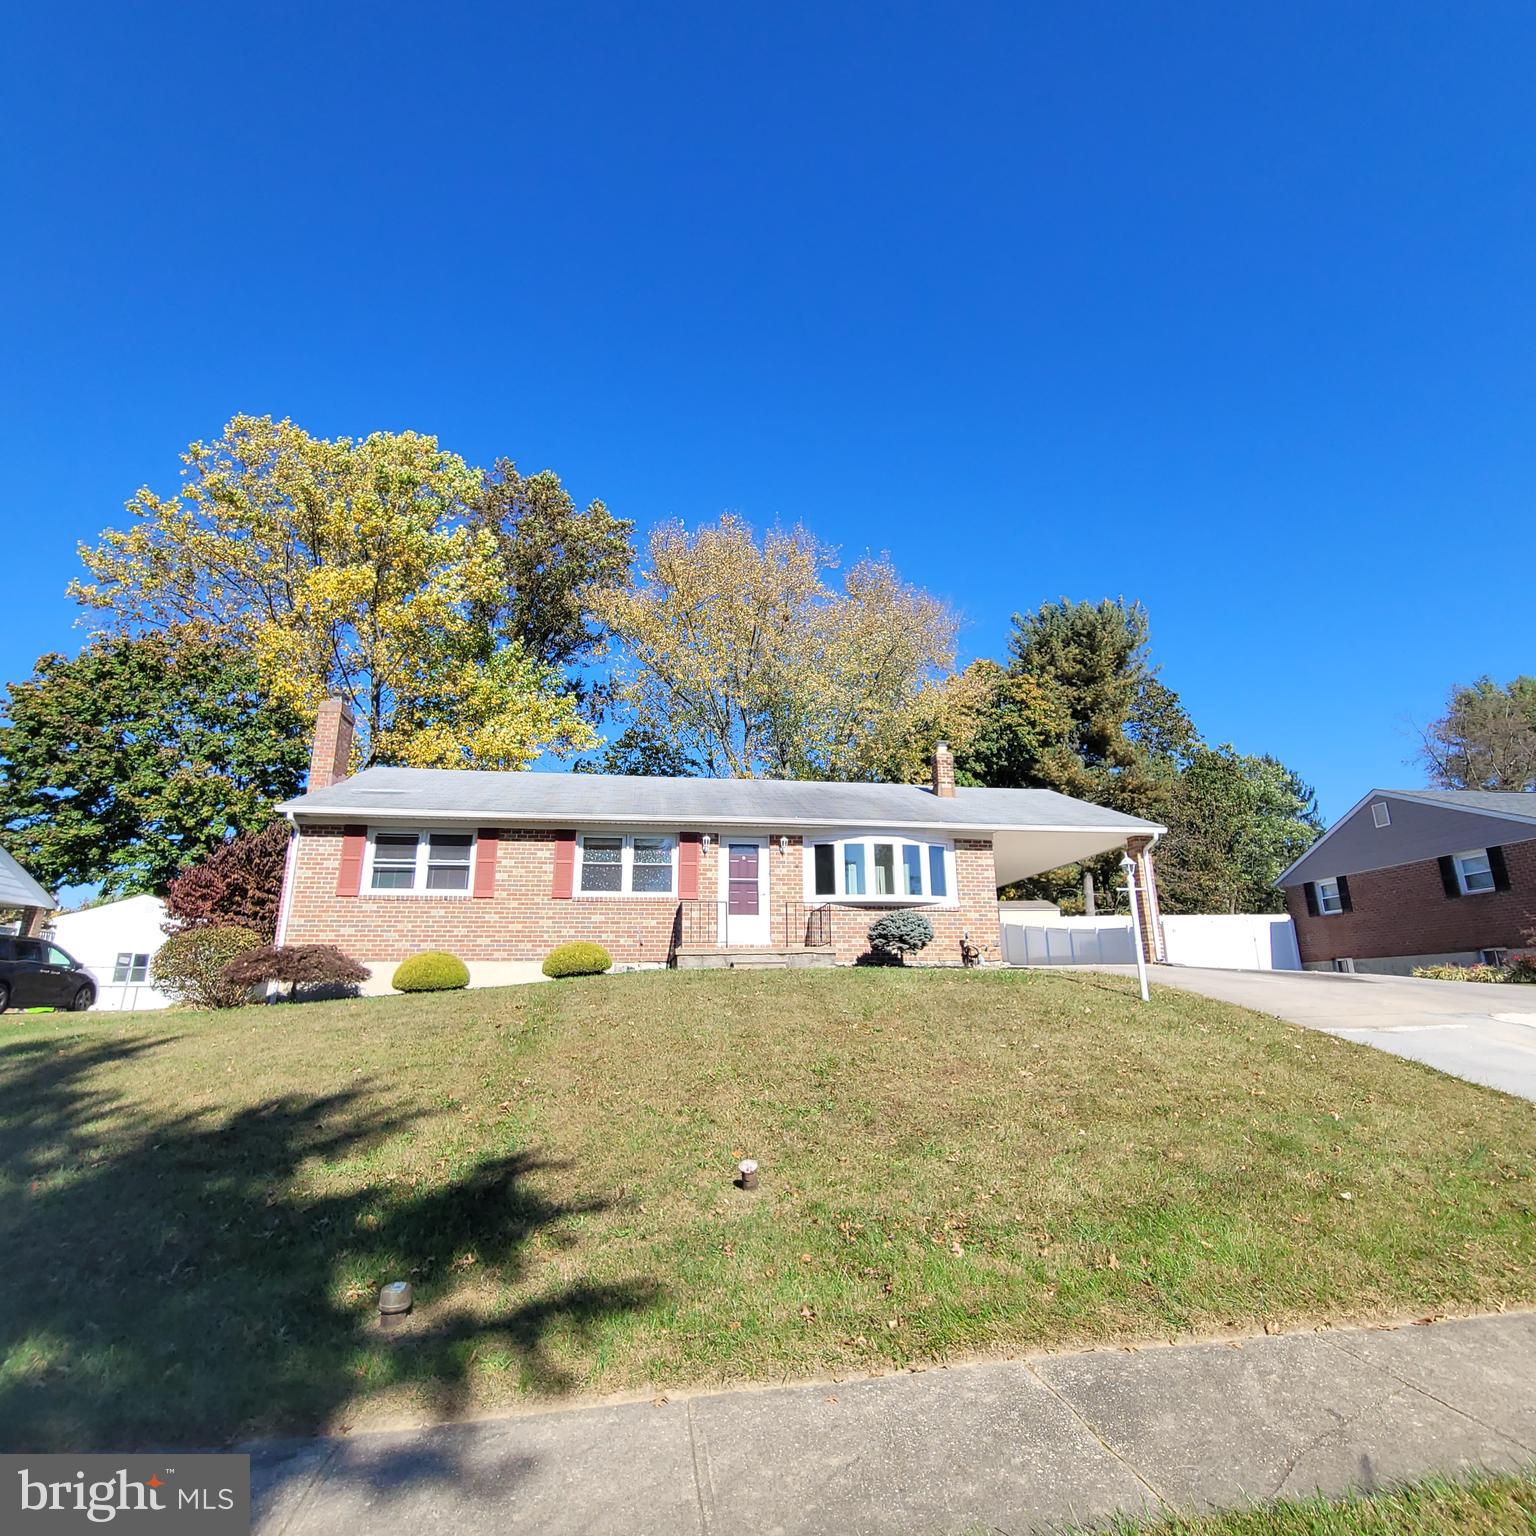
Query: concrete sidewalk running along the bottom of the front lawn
{"x": 1016, "y": 1446}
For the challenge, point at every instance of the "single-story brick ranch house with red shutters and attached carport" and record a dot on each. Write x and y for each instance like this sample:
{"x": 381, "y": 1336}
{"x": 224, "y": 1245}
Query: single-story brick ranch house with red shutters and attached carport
{"x": 502, "y": 867}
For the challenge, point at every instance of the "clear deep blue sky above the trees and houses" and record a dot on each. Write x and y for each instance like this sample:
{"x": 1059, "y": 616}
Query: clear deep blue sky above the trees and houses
{"x": 1223, "y": 308}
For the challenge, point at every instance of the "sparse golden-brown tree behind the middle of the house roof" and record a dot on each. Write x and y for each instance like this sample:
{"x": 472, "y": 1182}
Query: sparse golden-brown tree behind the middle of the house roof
{"x": 741, "y": 657}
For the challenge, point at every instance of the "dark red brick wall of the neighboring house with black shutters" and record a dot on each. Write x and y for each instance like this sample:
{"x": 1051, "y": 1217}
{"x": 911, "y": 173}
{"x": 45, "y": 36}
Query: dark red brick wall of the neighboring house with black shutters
{"x": 1406, "y": 912}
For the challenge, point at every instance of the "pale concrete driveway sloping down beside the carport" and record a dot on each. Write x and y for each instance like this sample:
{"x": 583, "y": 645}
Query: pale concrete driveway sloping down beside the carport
{"x": 1485, "y": 1033}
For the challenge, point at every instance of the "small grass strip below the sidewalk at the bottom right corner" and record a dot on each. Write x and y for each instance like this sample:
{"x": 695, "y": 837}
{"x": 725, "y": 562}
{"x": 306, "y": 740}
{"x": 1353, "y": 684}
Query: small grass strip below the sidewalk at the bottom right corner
{"x": 1480, "y": 1506}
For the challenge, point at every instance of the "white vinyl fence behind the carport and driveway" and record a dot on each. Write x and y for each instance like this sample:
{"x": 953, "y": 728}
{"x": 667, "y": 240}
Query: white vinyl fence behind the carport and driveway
{"x": 1240, "y": 942}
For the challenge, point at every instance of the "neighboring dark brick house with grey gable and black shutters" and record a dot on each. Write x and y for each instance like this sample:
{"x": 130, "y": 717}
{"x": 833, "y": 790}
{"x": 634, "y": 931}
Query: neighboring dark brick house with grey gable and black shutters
{"x": 1417, "y": 878}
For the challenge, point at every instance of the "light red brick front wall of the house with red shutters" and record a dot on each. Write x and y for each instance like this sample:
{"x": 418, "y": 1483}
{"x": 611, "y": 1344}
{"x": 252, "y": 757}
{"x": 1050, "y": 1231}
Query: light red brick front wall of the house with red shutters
{"x": 525, "y": 922}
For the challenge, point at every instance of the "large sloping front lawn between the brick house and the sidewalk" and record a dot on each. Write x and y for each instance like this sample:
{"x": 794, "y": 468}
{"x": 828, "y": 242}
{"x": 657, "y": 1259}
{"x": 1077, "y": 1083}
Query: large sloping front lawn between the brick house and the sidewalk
{"x": 197, "y": 1210}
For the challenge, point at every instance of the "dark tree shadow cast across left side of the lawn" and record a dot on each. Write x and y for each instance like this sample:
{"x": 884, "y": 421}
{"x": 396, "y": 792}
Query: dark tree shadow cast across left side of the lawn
{"x": 170, "y": 1285}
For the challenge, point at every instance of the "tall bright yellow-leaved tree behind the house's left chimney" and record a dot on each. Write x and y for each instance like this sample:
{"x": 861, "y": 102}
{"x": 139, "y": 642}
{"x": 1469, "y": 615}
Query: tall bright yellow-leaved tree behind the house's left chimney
{"x": 362, "y": 568}
